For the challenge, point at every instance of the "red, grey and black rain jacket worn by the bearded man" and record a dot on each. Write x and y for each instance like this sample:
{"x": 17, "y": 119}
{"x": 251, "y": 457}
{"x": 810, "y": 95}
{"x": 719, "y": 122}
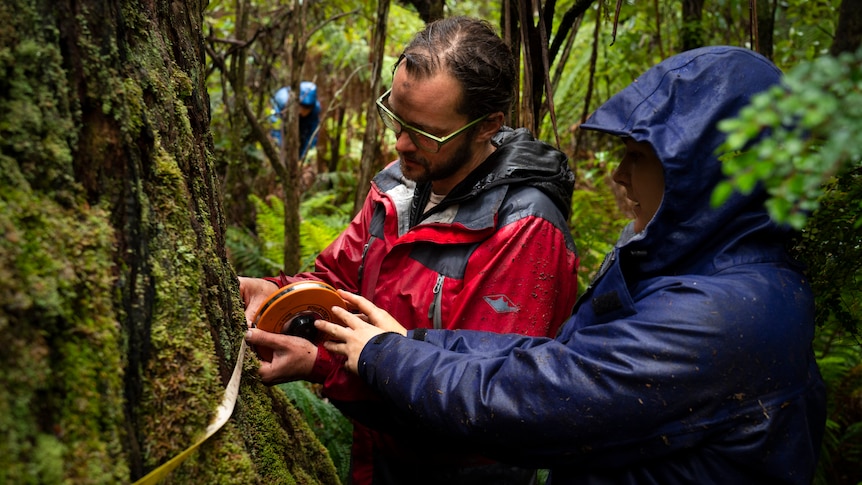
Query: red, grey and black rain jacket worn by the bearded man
{"x": 496, "y": 254}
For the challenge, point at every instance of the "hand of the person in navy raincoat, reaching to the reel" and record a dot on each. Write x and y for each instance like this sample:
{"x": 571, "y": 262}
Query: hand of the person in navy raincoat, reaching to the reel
{"x": 349, "y": 340}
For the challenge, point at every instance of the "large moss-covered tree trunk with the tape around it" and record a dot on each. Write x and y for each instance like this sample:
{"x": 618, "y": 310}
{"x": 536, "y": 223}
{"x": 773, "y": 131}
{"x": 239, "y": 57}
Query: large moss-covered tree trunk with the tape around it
{"x": 119, "y": 312}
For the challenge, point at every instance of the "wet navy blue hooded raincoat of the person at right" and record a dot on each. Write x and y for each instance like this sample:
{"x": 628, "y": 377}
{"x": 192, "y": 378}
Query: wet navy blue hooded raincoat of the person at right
{"x": 688, "y": 359}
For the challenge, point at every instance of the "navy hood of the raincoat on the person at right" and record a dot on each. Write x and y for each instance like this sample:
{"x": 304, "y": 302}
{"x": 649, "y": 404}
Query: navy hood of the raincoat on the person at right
{"x": 675, "y": 107}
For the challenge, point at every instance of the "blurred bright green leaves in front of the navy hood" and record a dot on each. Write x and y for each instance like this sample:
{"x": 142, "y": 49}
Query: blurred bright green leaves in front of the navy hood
{"x": 814, "y": 124}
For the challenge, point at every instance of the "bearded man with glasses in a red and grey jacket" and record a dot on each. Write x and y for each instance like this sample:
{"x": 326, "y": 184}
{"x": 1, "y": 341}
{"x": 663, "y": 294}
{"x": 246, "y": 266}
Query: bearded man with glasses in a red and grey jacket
{"x": 466, "y": 230}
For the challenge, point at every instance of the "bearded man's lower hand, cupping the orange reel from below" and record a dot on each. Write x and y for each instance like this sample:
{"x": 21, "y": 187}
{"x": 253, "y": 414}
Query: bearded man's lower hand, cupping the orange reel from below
{"x": 292, "y": 357}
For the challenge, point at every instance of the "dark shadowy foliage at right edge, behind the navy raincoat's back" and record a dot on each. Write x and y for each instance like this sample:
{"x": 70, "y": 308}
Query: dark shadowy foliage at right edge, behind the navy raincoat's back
{"x": 831, "y": 246}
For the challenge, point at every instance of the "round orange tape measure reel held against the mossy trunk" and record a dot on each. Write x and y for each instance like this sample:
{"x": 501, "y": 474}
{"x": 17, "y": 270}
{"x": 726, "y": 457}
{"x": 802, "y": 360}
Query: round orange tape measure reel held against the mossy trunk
{"x": 292, "y": 310}
